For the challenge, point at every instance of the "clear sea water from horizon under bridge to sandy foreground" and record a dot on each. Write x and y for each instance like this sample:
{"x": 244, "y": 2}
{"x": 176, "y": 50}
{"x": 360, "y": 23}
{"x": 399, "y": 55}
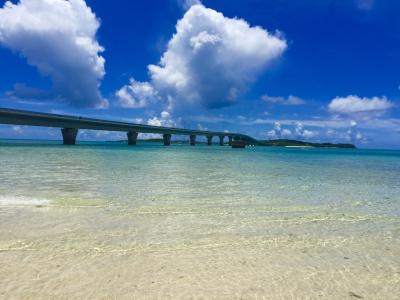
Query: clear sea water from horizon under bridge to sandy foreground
{"x": 110, "y": 221}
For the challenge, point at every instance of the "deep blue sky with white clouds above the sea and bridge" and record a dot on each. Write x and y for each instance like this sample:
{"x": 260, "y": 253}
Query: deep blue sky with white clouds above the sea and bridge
{"x": 320, "y": 71}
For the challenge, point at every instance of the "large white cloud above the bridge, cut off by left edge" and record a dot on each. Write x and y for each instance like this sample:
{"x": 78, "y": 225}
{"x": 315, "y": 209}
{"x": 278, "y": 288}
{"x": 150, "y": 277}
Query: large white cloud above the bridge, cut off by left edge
{"x": 58, "y": 37}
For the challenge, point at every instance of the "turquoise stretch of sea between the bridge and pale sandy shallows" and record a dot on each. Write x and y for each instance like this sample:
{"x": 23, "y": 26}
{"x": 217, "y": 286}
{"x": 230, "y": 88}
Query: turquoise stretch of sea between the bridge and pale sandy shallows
{"x": 357, "y": 180}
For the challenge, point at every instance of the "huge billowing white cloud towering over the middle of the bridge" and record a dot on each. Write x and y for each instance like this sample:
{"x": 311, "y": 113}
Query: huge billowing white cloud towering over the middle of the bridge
{"x": 211, "y": 60}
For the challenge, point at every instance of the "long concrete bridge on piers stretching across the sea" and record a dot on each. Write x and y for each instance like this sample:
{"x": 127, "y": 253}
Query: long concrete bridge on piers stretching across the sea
{"x": 70, "y": 126}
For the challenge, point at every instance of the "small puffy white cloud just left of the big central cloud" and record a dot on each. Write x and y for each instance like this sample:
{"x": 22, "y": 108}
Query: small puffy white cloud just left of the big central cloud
{"x": 136, "y": 94}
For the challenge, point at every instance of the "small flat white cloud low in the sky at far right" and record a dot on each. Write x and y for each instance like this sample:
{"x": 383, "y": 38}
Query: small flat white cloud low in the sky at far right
{"x": 354, "y": 105}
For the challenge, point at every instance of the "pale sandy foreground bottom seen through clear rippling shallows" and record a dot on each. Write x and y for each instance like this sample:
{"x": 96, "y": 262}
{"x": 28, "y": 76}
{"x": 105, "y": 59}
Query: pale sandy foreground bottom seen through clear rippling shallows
{"x": 50, "y": 252}
